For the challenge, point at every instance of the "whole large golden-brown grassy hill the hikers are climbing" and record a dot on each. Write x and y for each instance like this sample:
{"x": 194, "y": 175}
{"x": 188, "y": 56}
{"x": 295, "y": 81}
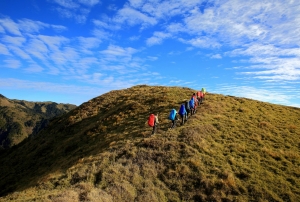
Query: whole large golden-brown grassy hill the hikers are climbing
{"x": 233, "y": 149}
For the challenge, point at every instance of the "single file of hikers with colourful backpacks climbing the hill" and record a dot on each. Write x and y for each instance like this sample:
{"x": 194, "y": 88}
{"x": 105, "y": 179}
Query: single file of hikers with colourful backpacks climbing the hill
{"x": 187, "y": 109}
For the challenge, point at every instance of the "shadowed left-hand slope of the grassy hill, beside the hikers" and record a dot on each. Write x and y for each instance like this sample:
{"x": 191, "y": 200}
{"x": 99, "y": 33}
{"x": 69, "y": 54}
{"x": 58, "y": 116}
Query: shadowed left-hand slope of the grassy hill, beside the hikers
{"x": 85, "y": 131}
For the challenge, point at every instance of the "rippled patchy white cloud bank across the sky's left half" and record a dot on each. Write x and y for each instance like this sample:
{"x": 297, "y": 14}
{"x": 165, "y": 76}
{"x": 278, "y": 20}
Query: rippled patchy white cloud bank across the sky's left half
{"x": 79, "y": 59}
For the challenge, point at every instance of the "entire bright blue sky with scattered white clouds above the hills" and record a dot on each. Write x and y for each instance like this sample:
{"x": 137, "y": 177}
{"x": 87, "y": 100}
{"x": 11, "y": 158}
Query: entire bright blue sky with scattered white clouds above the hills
{"x": 70, "y": 51}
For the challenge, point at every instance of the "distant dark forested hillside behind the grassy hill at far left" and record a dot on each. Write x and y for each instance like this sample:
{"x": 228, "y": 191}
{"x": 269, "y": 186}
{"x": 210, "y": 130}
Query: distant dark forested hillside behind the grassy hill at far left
{"x": 20, "y": 119}
